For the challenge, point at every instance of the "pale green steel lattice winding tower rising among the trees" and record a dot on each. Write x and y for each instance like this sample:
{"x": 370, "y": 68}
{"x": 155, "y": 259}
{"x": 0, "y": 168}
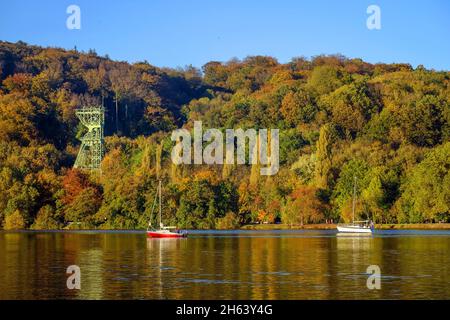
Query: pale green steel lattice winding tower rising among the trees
{"x": 92, "y": 144}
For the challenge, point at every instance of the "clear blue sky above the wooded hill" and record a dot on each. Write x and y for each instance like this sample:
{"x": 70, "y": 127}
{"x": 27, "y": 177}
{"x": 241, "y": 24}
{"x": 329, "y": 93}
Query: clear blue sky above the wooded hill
{"x": 176, "y": 33}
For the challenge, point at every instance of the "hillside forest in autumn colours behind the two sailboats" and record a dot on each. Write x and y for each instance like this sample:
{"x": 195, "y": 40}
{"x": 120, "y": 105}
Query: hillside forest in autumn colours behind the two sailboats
{"x": 386, "y": 124}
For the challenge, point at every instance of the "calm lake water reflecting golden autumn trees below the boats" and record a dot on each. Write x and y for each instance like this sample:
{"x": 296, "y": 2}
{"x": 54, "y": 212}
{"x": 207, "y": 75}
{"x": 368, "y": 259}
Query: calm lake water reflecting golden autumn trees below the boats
{"x": 225, "y": 265}
